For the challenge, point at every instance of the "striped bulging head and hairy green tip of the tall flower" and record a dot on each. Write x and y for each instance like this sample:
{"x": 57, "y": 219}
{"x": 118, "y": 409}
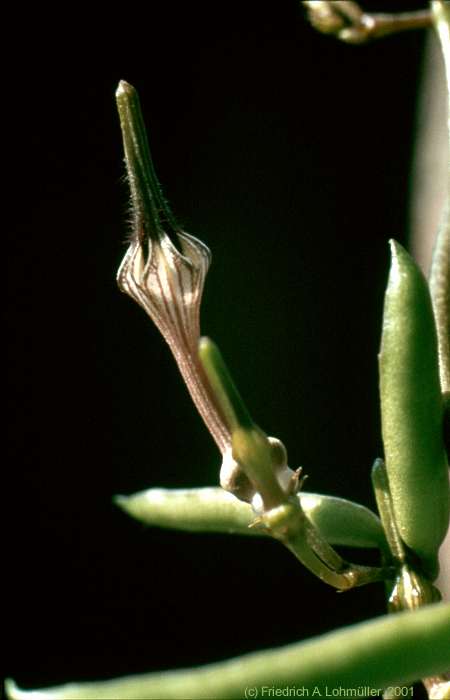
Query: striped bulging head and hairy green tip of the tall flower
{"x": 166, "y": 282}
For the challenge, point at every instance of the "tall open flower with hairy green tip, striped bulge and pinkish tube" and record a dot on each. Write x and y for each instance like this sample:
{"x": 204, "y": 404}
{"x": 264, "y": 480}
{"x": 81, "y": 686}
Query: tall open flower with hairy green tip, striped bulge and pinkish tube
{"x": 168, "y": 282}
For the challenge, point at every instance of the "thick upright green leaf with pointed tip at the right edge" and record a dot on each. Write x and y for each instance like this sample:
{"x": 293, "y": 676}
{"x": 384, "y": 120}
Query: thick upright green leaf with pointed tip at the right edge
{"x": 412, "y": 411}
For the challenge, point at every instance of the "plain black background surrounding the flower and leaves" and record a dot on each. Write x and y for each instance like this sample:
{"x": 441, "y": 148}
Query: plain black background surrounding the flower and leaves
{"x": 288, "y": 154}
